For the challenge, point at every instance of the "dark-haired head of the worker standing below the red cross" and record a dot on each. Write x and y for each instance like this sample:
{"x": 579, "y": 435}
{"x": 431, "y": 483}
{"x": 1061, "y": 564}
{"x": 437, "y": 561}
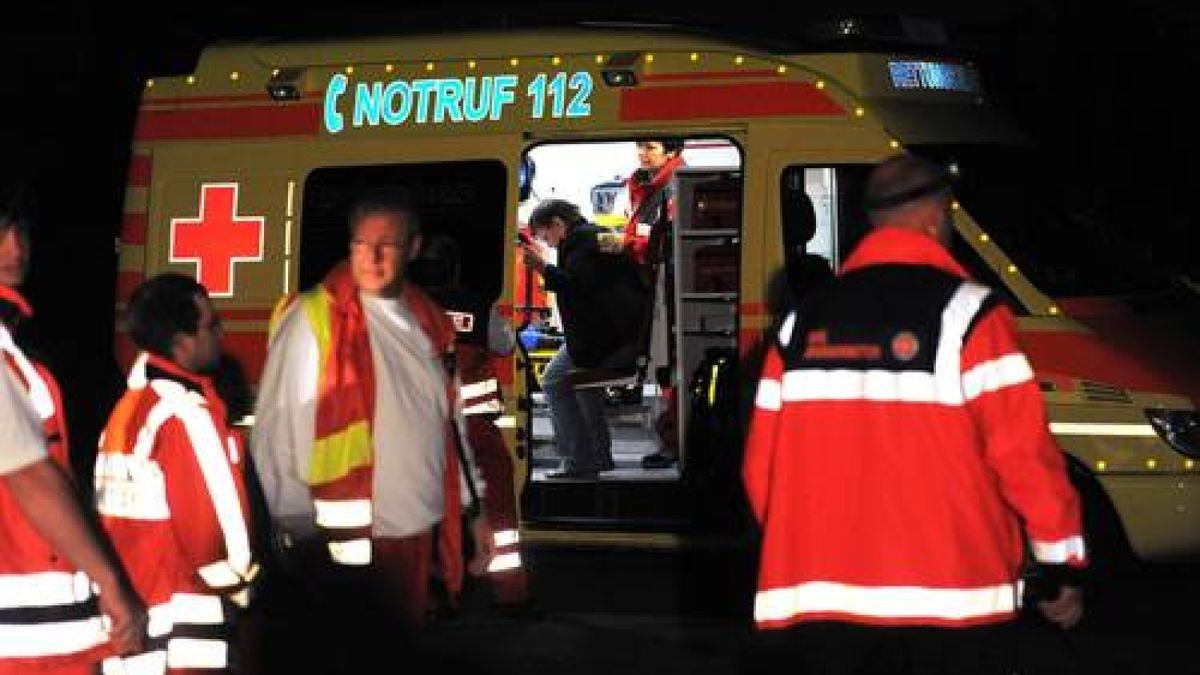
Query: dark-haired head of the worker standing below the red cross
{"x": 171, "y": 316}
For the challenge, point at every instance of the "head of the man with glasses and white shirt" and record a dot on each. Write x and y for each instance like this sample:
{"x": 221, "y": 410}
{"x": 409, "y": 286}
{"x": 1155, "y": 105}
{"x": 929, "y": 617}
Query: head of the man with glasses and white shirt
{"x": 386, "y": 236}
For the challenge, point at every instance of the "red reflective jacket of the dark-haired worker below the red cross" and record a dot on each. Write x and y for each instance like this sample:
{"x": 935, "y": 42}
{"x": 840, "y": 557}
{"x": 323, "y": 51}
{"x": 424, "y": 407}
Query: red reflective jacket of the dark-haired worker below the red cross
{"x": 171, "y": 493}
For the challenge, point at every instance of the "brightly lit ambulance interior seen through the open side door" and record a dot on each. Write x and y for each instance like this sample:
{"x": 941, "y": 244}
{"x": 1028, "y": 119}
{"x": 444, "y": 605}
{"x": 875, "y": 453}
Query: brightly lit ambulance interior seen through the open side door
{"x": 641, "y": 423}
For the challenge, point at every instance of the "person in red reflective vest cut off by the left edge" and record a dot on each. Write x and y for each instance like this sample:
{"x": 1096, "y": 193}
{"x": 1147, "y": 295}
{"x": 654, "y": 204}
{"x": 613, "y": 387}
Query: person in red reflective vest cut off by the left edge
{"x": 50, "y": 555}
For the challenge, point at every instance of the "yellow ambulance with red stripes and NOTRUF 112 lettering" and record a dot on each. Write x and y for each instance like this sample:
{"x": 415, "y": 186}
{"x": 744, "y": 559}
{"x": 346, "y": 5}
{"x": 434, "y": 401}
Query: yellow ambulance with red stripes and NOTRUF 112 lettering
{"x": 242, "y": 174}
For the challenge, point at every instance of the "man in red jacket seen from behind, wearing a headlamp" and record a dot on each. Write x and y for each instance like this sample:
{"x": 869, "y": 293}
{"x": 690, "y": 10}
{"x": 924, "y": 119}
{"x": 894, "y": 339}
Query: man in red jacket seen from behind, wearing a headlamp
{"x": 898, "y": 445}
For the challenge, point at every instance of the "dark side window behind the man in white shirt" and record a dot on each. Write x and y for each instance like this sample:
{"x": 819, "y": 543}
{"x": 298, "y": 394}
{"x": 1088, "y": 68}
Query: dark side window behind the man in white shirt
{"x": 465, "y": 201}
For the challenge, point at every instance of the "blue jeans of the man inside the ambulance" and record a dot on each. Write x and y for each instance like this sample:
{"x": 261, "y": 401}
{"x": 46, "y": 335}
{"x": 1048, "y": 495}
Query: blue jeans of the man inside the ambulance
{"x": 578, "y": 416}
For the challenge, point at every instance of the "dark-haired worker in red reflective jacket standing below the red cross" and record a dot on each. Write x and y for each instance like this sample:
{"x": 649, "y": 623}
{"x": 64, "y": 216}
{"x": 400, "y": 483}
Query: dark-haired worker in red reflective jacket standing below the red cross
{"x": 171, "y": 486}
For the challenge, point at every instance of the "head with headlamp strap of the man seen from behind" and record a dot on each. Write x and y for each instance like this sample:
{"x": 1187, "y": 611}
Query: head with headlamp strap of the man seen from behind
{"x": 911, "y": 193}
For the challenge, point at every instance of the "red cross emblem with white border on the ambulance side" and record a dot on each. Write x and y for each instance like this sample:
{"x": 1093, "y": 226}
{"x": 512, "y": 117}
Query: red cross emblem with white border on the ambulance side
{"x": 218, "y": 238}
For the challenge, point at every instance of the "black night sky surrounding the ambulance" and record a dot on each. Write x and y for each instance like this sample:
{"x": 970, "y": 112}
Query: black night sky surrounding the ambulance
{"x": 1105, "y": 94}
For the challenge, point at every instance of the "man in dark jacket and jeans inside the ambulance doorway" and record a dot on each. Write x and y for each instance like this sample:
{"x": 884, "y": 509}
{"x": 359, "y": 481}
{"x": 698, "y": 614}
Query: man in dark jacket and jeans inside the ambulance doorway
{"x": 603, "y": 306}
